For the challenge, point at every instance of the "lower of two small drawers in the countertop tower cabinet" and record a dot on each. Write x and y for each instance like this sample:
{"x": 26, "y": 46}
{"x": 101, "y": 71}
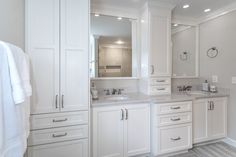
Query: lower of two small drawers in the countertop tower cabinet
{"x": 160, "y": 90}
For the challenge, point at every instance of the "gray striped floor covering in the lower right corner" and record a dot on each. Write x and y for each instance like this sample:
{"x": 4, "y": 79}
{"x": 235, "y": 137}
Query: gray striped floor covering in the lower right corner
{"x": 219, "y": 149}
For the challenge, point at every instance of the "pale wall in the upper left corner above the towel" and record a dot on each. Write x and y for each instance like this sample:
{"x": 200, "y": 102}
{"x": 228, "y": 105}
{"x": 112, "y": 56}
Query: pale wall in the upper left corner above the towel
{"x": 12, "y": 21}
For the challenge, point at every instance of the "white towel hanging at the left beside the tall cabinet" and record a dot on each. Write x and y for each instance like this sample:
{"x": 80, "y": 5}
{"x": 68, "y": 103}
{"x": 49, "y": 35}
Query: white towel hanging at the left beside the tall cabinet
{"x": 15, "y": 104}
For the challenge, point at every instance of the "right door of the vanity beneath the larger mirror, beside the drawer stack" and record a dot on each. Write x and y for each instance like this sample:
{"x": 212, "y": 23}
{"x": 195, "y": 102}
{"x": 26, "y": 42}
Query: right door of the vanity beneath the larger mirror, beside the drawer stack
{"x": 137, "y": 129}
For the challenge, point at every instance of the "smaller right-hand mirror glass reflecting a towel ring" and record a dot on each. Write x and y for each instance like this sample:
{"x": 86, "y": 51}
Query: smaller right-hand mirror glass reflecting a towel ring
{"x": 185, "y": 51}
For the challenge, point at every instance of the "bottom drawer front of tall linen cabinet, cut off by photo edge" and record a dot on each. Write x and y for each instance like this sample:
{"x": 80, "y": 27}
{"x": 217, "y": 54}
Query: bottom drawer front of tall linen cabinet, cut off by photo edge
{"x": 78, "y": 148}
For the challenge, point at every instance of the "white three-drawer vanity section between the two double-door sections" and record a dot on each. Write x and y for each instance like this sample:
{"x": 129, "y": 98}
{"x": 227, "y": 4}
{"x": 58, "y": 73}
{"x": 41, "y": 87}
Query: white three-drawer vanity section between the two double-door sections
{"x": 171, "y": 127}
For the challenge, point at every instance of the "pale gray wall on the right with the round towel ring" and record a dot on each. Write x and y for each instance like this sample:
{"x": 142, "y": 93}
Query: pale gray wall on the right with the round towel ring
{"x": 221, "y": 32}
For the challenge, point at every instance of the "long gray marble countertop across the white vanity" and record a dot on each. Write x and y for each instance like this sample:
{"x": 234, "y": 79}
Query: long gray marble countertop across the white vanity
{"x": 134, "y": 98}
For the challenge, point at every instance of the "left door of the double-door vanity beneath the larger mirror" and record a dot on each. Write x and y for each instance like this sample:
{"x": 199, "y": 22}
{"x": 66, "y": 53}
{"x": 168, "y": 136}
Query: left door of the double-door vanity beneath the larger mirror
{"x": 108, "y": 132}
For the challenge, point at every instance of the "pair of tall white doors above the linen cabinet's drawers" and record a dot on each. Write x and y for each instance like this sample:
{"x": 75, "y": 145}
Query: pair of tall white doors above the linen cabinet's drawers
{"x": 57, "y": 43}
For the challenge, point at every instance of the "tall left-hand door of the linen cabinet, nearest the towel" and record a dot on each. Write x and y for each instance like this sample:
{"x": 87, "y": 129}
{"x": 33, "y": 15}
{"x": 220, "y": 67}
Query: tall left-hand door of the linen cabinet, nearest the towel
{"x": 42, "y": 44}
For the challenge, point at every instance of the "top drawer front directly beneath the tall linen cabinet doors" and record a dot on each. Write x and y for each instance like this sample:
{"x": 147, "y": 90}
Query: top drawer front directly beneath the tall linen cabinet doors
{"x": 58, "y": 120}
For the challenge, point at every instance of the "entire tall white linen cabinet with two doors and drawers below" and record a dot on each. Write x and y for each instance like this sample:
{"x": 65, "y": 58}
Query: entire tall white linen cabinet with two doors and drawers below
{"x": 57, "y": 35}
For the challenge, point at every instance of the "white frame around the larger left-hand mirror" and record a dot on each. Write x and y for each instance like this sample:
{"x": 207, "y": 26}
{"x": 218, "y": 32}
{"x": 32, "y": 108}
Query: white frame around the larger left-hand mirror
{"x": 135, "y": 41}
